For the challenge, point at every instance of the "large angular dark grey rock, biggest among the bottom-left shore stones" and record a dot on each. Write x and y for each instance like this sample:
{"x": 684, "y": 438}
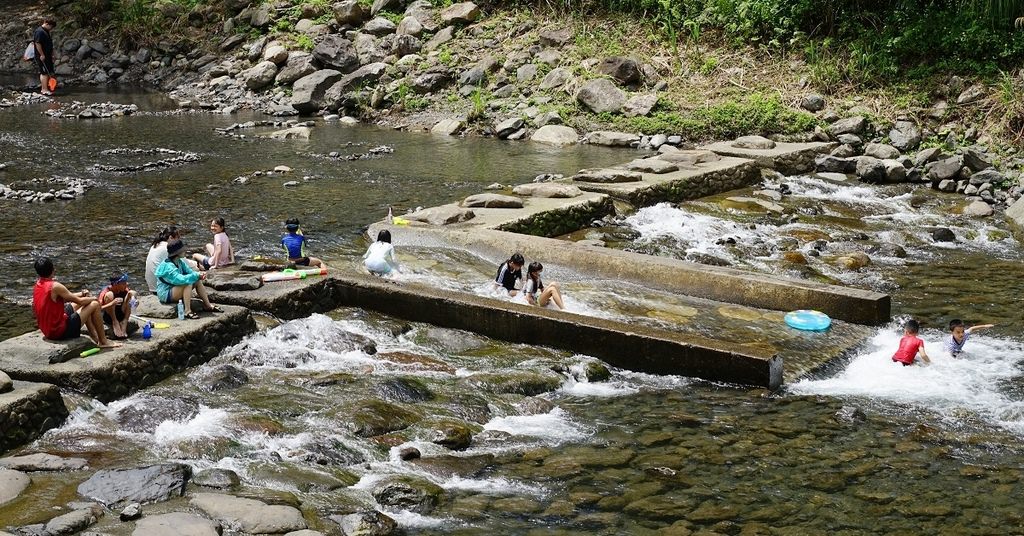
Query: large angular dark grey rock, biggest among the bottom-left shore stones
{"x": 115, "y": 488}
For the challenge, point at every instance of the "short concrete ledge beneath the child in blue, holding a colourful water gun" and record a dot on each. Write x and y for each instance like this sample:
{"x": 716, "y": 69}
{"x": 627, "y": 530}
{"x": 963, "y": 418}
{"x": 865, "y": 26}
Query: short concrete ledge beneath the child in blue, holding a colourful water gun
{"x": 285, "y": 300}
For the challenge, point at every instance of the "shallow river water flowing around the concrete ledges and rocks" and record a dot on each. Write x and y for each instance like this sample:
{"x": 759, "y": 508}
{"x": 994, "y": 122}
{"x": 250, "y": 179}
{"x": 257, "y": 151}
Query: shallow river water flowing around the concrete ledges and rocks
{"x": 864, "y": 448}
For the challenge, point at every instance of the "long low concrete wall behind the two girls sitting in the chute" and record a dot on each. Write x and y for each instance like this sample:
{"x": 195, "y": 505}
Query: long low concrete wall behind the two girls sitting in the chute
{"x": 717, "y": 283}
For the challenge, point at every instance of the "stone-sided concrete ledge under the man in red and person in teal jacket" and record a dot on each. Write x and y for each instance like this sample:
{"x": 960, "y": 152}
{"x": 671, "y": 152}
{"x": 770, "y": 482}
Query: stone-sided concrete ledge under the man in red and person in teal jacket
{"x": 115, "y": 374}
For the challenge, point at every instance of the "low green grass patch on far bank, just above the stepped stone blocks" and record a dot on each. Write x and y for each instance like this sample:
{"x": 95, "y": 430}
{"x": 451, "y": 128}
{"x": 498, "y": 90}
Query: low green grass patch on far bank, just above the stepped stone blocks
{"x": 756, "y": 114}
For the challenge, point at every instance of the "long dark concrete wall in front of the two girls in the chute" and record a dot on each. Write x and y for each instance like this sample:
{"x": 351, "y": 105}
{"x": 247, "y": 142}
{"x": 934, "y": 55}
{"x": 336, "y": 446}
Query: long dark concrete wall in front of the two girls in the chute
{"x": 630, "y": 347}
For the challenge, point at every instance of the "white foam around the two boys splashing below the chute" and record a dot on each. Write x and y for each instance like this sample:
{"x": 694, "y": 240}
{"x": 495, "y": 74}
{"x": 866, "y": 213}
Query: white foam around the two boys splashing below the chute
{"x": 949, "y": 388}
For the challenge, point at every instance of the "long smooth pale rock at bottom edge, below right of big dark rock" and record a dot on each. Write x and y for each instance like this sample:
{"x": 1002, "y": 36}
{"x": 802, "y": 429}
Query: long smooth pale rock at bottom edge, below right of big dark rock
{"x": 249, "y": 516}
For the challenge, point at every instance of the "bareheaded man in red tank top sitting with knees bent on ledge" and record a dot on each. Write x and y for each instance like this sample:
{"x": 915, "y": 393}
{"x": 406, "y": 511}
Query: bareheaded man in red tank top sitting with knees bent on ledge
{"x": 60, "y": 314}
